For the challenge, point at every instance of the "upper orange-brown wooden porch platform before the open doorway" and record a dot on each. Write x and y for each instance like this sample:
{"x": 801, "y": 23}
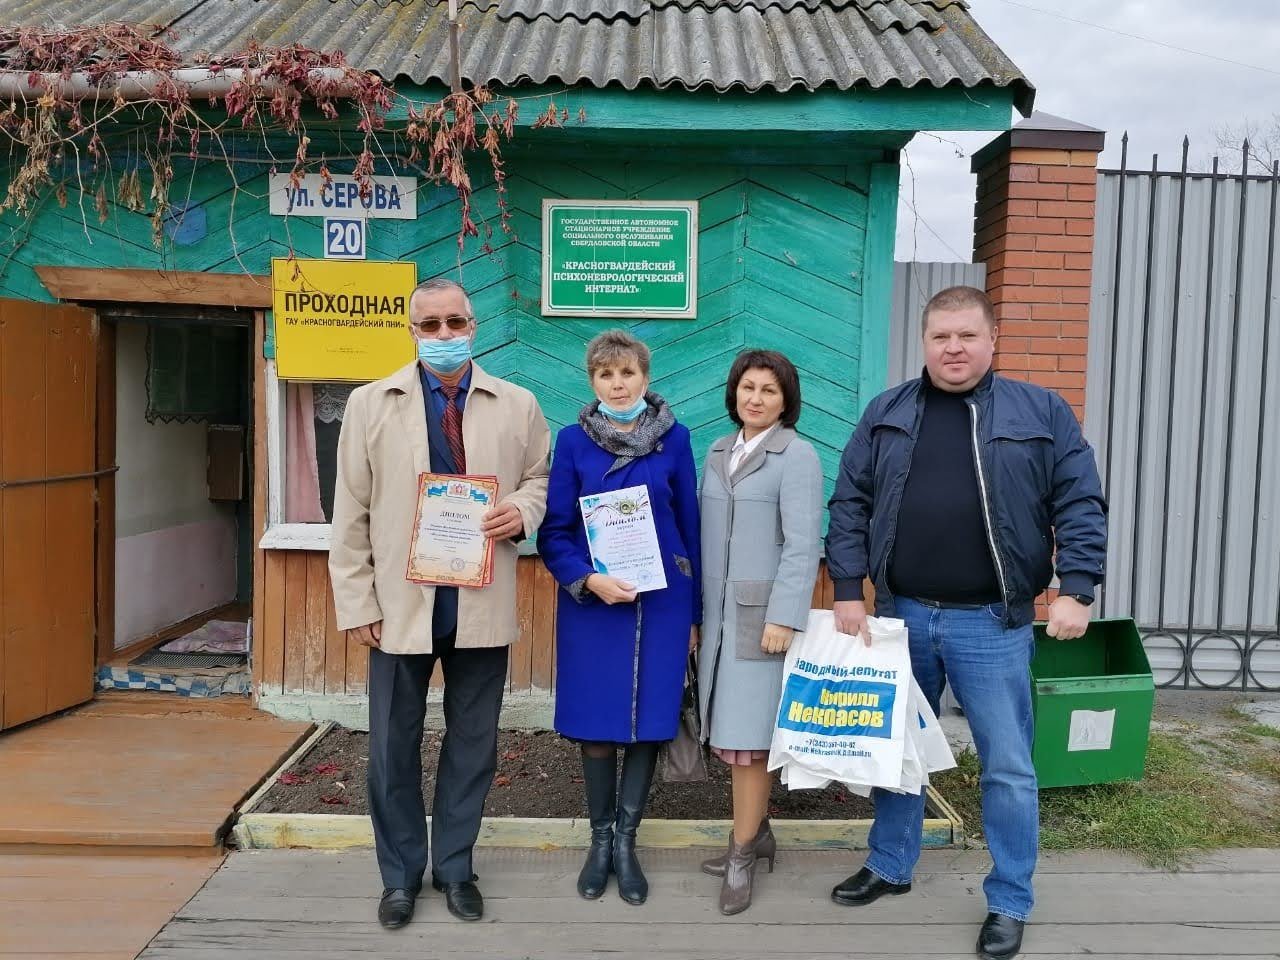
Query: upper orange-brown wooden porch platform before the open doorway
{"x": 138, "y": 770}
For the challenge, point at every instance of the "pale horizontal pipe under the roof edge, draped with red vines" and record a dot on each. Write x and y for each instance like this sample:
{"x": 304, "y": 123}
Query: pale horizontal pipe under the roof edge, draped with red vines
{"x": 143, "y": 85}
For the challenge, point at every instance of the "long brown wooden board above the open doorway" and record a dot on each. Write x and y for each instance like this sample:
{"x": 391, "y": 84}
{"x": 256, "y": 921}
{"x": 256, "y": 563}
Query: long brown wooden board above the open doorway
{"x": 88, "y": 284}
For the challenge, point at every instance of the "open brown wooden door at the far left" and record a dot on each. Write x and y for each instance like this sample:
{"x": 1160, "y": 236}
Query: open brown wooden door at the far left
{"x": 48, "y": 493}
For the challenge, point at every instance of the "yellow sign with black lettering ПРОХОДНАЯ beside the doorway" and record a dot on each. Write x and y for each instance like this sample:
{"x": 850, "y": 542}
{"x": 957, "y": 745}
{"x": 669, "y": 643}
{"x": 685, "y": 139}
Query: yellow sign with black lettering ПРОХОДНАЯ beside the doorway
{"x": 341, "y": 319}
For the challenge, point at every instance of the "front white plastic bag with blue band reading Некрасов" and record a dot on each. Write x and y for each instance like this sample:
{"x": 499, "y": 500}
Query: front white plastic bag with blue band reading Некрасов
{"x": 844, "y": 706}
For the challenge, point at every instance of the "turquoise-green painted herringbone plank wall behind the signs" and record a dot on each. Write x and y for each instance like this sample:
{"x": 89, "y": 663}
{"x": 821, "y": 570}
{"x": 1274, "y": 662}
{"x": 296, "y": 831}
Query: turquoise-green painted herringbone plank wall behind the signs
{"x": 797, "y": 259}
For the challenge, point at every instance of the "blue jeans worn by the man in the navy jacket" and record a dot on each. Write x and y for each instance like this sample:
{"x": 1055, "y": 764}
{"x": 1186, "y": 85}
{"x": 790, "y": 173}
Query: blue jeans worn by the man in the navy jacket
{"x": 988, "y": 668}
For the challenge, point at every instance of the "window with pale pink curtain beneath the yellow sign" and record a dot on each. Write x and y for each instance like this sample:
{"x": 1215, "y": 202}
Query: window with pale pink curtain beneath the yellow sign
{"x": 313, "y": 418}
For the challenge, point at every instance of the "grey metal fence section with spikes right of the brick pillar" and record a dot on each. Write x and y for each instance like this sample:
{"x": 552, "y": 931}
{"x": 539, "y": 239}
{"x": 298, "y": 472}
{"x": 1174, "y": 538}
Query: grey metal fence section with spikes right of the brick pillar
{"x": 1185, "y": 412}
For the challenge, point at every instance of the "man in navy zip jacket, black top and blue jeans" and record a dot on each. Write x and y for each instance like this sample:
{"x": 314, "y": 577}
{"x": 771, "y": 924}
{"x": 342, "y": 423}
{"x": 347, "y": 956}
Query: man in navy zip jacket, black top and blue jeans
{"x": 958, "y": 495}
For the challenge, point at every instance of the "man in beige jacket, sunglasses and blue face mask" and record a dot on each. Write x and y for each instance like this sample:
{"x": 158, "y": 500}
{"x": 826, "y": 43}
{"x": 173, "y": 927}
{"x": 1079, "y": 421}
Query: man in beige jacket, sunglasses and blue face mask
{"x": 442, "y": 414}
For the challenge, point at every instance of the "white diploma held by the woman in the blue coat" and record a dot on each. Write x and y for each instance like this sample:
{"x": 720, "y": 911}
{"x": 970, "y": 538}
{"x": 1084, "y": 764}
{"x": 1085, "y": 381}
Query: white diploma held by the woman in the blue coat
{"x": 623, "y": 537}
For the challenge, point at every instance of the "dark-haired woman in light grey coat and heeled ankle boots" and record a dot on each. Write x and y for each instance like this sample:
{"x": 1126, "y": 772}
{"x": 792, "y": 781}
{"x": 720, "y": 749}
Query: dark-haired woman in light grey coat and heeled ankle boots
{"x": 762, "y": 527}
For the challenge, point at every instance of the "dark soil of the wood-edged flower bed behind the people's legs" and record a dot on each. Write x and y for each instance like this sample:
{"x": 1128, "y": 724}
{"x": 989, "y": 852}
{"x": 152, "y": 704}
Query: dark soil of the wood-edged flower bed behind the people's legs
{"x": 540, "y": 775}
